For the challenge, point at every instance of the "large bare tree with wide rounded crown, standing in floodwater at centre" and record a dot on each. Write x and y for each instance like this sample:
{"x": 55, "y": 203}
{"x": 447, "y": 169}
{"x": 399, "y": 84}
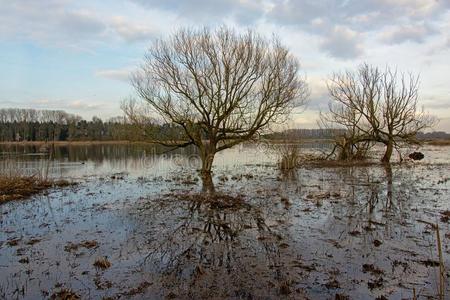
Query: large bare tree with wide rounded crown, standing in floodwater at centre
{"x": 220, "y": 86}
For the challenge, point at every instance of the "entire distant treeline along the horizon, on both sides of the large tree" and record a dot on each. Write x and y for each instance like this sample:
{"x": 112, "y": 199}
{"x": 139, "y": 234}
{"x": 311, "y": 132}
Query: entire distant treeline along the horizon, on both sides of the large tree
{"x": 57, "y": 125}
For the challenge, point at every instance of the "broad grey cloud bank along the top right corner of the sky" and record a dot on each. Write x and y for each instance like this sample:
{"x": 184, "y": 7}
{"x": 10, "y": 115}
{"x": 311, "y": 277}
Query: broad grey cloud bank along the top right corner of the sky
{"x": 322, "y": 17}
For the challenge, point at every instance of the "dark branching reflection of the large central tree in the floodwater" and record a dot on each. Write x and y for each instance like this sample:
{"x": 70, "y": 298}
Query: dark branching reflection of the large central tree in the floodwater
{"x": 204, "y": 242}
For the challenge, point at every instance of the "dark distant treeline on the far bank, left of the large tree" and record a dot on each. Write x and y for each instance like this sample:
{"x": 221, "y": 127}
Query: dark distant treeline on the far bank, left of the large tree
{"x": 57, "y": 125}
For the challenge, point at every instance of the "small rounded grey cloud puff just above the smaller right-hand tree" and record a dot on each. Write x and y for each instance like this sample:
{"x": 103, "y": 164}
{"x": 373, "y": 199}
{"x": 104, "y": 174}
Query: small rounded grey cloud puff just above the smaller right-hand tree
{"x": 343, "y": 42}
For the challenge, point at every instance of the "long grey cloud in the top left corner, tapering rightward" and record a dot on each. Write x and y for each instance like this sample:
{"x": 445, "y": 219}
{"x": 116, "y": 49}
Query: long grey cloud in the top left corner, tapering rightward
{"x": 56, "y": 22}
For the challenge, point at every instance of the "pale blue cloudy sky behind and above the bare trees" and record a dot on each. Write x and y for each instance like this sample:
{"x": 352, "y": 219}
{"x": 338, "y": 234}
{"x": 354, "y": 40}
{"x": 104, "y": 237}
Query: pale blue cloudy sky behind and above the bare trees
{"x": 77, "y": 55}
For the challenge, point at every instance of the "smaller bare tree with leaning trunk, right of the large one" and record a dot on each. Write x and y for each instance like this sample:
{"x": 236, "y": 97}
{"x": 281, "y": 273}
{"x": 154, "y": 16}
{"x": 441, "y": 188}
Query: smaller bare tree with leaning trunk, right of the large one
{"x": 379, "y": 106}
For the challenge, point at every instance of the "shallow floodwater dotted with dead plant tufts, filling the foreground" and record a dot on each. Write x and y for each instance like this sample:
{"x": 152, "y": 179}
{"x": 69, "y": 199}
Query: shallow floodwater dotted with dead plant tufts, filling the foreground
{"x": 321, "y": 232}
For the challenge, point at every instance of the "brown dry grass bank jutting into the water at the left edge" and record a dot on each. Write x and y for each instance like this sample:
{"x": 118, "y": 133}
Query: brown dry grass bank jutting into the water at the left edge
{"x": 21, "y": 186}
